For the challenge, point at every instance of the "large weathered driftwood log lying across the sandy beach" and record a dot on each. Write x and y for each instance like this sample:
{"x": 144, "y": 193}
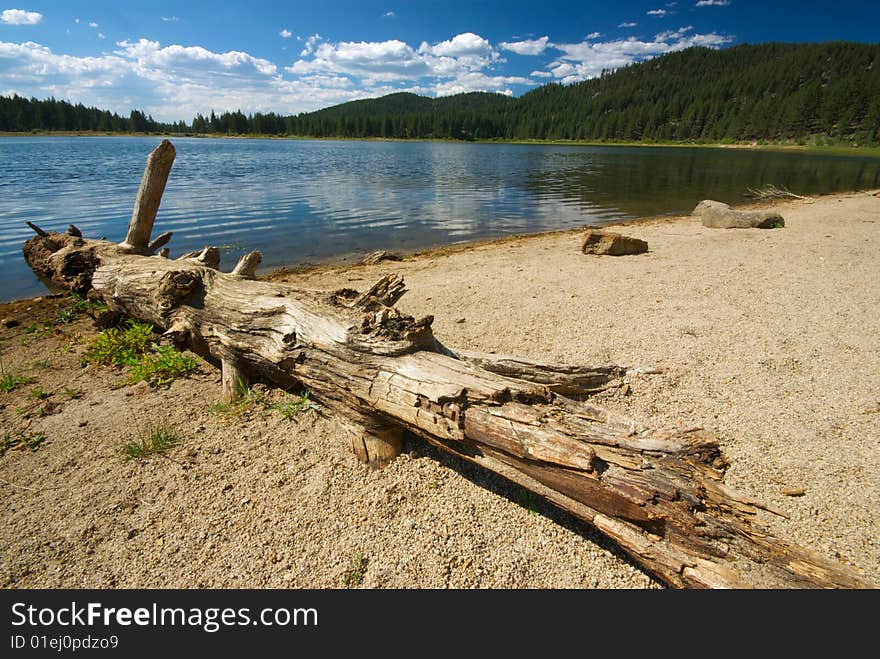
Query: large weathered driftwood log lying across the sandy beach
{"x": 659, "y": 496}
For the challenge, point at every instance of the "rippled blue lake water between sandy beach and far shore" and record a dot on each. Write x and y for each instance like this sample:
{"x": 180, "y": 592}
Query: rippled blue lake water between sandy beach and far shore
{"x": 311, "y": 201}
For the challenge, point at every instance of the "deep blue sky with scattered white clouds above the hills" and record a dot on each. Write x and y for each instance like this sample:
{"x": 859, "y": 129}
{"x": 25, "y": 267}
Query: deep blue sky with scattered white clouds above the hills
{"x": 173, "y": 59}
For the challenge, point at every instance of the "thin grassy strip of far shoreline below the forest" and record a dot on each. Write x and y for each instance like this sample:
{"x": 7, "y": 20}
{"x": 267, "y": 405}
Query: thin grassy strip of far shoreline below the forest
{"x": 871, "y": 151}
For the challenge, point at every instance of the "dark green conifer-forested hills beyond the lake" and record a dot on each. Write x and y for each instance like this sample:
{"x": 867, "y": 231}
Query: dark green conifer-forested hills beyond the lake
{"x": 770, "y": 92}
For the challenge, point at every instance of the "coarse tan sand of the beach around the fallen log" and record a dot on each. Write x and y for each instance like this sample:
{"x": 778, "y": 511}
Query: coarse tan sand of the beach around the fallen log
{"x": 768, "y": 338}
